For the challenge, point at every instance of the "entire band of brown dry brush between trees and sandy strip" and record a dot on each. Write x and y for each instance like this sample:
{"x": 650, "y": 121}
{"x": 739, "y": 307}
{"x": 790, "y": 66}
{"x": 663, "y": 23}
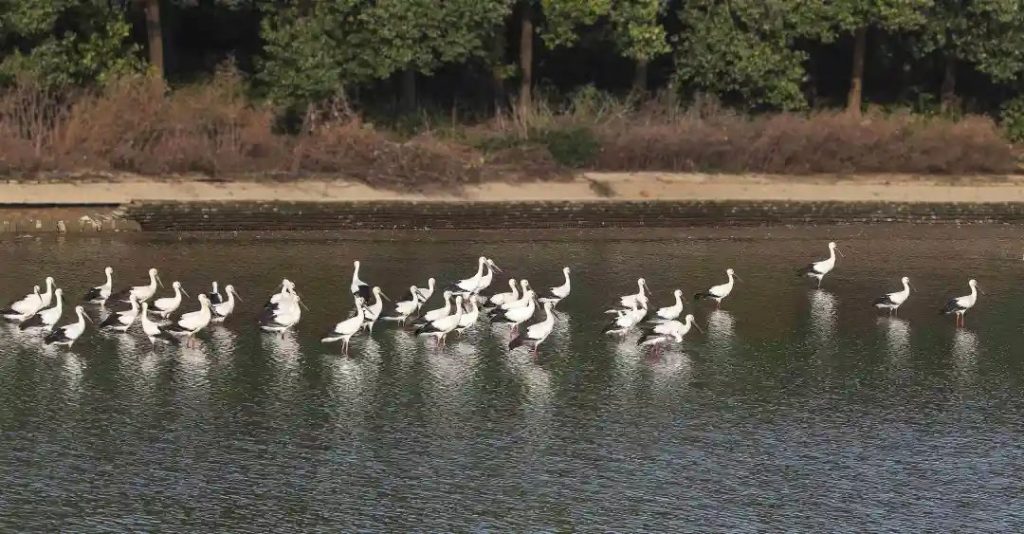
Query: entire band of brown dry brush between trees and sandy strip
{"x": 138, "y": 126}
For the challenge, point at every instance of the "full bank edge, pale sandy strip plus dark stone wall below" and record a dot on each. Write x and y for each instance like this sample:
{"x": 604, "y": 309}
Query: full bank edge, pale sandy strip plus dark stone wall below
{"x": 126, "y": 203}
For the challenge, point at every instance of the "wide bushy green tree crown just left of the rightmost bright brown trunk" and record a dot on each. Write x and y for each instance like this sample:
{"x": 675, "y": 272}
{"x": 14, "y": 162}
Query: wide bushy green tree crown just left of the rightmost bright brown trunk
{"x": 744, "y": 51}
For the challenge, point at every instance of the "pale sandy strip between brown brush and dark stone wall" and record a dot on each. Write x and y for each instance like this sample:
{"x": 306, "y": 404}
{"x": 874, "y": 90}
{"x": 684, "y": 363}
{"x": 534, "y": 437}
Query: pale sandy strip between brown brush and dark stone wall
{"x": 593, "y": 187}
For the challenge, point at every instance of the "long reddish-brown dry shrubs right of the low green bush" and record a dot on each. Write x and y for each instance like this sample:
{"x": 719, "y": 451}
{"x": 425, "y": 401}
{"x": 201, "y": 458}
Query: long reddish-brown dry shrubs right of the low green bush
{"x": 823, "y": 143}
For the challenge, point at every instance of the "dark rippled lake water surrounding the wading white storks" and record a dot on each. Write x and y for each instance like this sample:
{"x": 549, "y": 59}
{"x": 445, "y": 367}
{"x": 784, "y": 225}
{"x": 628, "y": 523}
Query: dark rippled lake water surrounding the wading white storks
{"x": 798, "y": 409}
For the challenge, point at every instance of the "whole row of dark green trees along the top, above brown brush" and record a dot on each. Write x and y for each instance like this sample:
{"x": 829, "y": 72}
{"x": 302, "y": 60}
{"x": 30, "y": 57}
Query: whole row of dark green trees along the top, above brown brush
{"x": 929, "y": 56}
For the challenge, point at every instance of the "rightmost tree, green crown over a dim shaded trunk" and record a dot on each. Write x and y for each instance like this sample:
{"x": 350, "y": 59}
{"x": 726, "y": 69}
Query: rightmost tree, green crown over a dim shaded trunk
{"x": 988, "y": 34}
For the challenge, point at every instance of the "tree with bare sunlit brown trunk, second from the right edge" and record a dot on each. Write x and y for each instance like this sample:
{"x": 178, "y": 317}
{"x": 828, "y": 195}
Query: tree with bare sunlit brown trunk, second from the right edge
{"x": 856, "y": 18}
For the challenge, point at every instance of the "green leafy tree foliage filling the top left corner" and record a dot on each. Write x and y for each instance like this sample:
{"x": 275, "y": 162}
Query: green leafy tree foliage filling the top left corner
{"x": 65, "y": 44}
